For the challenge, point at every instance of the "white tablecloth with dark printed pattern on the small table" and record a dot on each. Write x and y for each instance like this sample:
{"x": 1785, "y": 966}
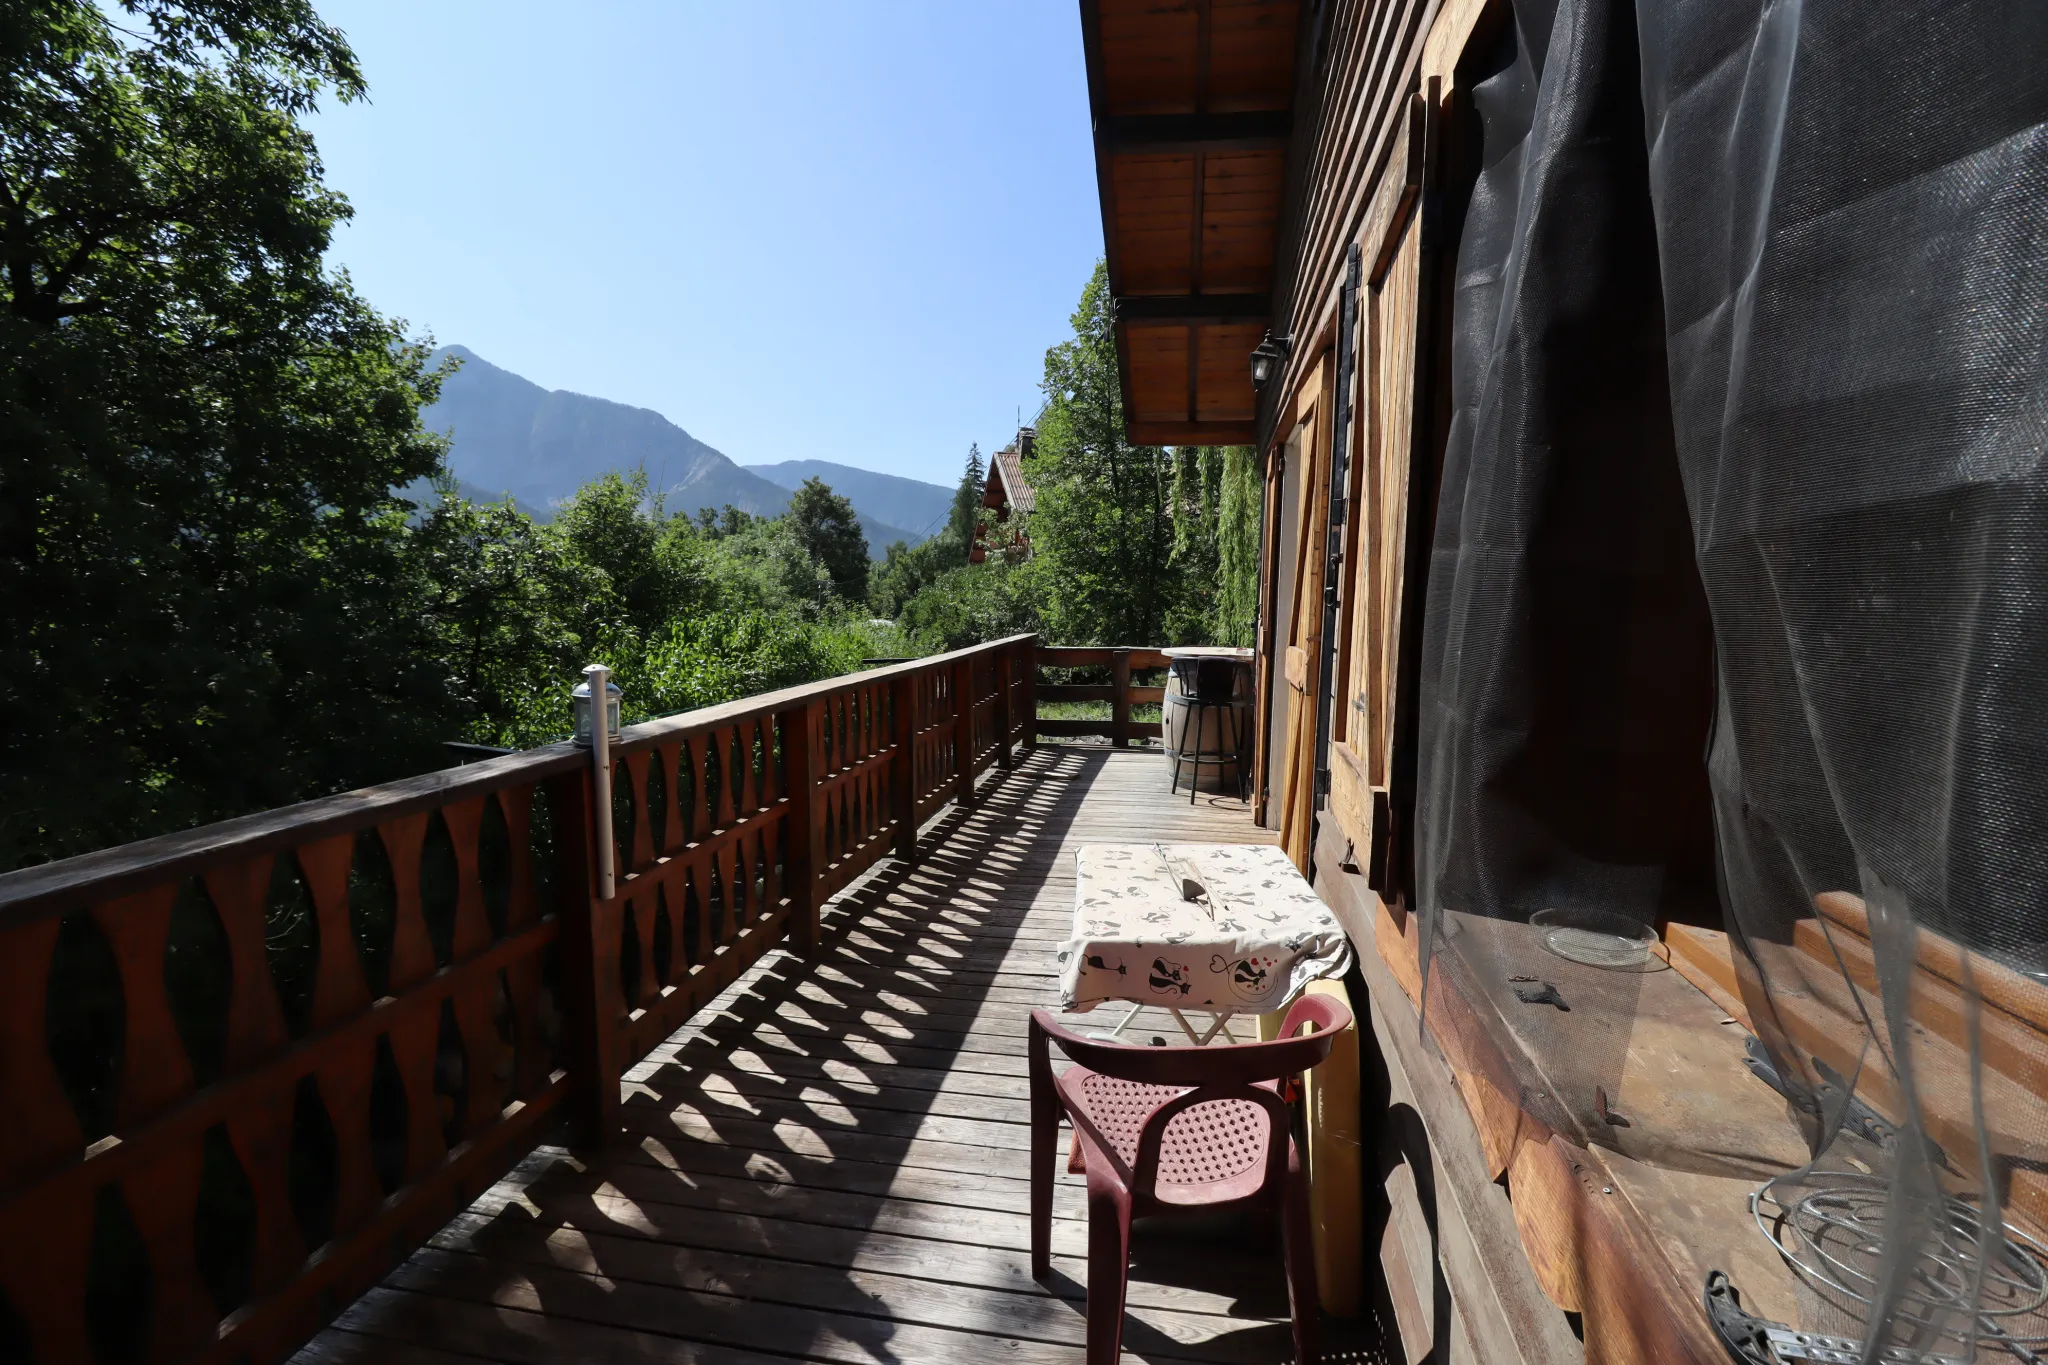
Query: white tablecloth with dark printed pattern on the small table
{"x": 1250, "y": 944}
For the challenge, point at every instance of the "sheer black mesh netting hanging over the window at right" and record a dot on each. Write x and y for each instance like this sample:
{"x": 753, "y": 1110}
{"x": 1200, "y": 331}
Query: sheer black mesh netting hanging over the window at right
{"x": 1748, "y": 464}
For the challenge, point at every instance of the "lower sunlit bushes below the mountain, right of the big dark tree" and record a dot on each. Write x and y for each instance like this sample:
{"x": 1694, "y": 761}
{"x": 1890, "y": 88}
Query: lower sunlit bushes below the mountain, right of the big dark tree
{"x": 685, "y": 613}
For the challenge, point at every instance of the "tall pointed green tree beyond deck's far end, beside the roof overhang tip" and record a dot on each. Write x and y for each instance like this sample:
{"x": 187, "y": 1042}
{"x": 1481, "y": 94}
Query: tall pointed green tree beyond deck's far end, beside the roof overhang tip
{"x": 1101, "y": 525}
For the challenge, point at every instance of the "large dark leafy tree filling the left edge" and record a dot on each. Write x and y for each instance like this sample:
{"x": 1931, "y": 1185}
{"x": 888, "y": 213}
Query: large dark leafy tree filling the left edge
{"x": 206, "y": 595}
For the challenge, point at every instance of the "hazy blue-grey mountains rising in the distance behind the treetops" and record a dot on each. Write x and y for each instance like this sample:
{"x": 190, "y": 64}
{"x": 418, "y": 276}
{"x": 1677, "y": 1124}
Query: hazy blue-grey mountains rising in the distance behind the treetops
{"x": 509, "y": 435}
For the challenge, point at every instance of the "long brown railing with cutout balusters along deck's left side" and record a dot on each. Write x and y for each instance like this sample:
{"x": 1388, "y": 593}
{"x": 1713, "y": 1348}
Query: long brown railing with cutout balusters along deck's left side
{"x": 249, "y": 1067}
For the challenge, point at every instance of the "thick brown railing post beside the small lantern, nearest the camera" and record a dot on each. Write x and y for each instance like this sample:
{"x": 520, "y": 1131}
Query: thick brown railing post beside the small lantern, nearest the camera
{"x": 589, "y": 967}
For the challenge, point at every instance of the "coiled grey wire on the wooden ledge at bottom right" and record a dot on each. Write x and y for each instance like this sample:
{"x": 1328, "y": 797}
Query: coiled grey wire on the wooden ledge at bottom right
{"x": 1834, "y": 1235}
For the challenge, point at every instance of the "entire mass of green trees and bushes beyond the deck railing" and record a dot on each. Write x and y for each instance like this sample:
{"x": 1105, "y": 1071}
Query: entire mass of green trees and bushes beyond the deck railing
{"x": 214, "y": 595}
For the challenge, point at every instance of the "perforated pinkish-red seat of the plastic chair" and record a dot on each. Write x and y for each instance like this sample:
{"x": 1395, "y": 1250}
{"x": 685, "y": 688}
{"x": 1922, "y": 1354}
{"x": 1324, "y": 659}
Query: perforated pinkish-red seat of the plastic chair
{"x": 1211, "y": 1153}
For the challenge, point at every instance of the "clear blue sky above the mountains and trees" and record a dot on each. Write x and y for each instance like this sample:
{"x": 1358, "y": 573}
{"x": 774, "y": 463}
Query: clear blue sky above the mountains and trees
{"x": 796, "y": 228}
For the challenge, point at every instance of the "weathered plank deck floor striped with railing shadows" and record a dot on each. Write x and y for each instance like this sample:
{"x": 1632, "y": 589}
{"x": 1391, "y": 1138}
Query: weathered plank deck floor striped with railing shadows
{"x": 830, "y": 1163}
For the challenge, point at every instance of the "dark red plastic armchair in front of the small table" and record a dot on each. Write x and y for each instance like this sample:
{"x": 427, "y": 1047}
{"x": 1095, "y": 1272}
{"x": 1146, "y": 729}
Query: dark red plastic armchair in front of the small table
{"x": 1172, "y": 1131}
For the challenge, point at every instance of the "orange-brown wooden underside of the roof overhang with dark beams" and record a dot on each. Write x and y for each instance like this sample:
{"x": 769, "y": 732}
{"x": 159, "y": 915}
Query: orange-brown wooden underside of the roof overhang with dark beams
{"x": 1193, "y": 109}
